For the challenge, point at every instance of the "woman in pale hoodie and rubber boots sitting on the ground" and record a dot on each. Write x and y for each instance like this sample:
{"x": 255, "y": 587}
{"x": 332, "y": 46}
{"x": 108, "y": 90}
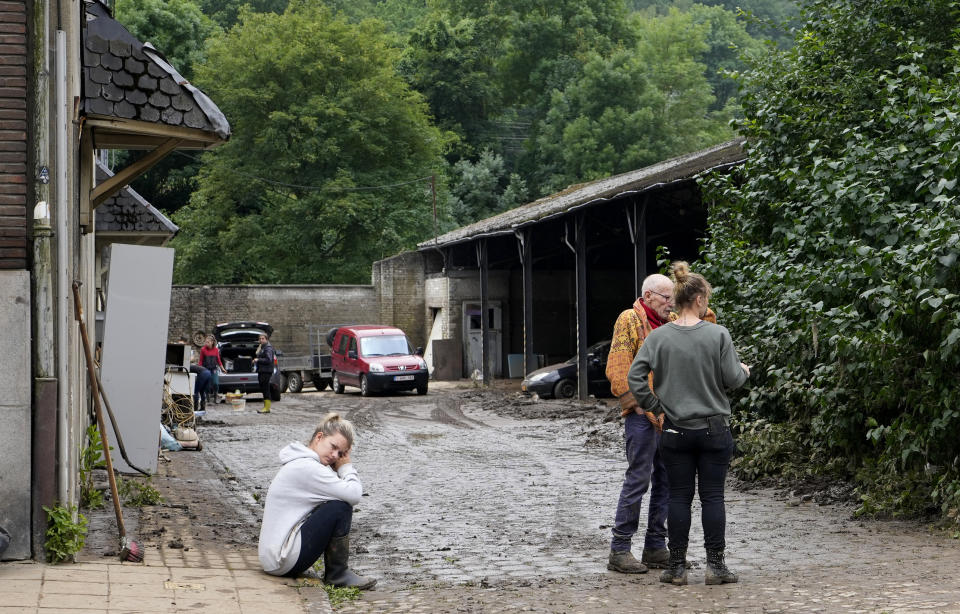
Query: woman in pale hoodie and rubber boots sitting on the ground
{"x": 309, "y": 507}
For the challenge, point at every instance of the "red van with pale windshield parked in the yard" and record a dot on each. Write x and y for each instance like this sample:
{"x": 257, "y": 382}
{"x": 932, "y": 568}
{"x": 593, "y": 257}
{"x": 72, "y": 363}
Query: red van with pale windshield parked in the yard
{"x": 376, "y": 358}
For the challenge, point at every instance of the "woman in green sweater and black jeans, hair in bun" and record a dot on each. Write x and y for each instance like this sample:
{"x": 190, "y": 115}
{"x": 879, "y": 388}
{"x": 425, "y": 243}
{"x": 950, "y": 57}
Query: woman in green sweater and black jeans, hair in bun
{"x": 693, "y": 363}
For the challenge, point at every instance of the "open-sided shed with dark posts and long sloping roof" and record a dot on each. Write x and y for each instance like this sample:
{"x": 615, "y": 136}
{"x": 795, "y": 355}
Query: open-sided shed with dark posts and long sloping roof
{"x": 549, "y": 278}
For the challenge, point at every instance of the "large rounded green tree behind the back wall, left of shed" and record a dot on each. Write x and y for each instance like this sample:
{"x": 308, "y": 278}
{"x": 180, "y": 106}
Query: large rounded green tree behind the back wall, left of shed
{"x": 318, "y": 115}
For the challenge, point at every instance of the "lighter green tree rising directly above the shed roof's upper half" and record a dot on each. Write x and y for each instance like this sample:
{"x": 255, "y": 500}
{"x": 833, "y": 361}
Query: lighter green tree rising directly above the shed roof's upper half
{"x": 631, "y": 109}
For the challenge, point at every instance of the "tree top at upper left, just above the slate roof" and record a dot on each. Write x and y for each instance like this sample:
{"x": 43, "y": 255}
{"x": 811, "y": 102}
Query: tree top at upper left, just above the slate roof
{"x": 177, "y": 28}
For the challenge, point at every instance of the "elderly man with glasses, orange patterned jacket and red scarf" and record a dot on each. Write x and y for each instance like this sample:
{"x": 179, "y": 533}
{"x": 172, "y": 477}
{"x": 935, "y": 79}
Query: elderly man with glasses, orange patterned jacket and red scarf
{"x": 645, "y": 469}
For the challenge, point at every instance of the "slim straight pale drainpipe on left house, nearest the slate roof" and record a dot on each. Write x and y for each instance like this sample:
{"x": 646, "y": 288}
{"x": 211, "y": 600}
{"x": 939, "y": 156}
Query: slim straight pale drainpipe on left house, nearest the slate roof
{"x": 63, "y": 268}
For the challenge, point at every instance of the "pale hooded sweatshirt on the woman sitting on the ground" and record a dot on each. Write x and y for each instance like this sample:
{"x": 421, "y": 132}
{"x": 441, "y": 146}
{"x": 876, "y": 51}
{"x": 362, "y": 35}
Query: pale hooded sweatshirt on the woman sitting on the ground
{"x": 301, "y": 484}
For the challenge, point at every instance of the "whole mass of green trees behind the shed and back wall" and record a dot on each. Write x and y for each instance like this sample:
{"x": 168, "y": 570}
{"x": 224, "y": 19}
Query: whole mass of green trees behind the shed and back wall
{"x": 502, "y": 101}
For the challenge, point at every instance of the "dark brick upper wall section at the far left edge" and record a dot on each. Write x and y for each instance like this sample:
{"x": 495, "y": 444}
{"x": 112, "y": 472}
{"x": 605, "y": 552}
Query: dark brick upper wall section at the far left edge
{"x": 13, "y": 135}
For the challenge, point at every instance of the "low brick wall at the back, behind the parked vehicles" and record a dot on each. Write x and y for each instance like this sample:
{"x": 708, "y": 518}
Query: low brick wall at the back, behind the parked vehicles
{"x": 289, "y": 309}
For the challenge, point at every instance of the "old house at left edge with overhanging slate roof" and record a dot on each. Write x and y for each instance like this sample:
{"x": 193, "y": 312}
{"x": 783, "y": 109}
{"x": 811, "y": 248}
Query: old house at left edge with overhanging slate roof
{"x": 72, "y": 81}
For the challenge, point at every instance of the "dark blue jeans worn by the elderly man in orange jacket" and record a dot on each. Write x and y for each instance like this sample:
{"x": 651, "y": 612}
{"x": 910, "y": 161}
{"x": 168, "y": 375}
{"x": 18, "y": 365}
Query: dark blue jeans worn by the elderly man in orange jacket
{"x": 644, "y": 472}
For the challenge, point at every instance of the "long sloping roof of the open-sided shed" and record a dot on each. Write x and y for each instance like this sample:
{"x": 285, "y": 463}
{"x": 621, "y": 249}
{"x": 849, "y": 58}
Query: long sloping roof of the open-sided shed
{"x": 681, "y": 168}
